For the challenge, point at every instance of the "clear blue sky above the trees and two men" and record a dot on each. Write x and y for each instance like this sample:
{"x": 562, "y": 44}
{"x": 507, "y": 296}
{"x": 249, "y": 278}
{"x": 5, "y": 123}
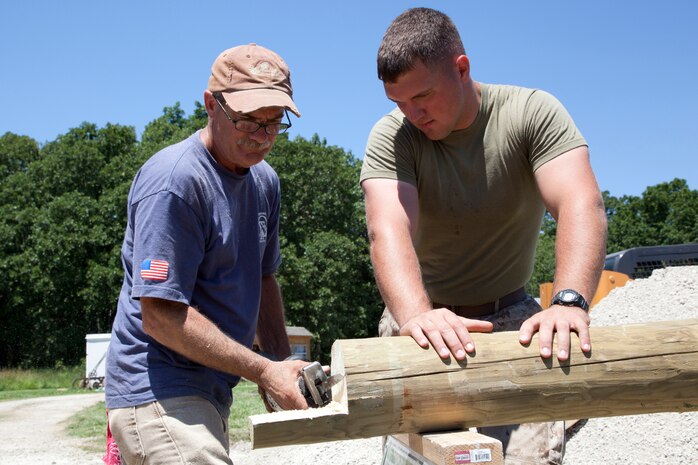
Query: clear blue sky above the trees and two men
{"x": 627, "y": 71}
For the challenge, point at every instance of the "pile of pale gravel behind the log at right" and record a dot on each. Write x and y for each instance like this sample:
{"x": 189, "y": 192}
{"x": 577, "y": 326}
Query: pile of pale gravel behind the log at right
{"x": 661, "y": 438}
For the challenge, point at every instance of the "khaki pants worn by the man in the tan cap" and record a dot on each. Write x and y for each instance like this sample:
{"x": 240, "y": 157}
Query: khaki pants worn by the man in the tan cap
{"x": 181, "y": 430}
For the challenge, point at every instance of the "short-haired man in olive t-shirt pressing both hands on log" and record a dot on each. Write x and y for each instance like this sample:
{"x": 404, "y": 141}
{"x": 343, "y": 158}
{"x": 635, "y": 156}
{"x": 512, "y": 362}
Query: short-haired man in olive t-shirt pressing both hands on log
{"x": 456, "y": 180}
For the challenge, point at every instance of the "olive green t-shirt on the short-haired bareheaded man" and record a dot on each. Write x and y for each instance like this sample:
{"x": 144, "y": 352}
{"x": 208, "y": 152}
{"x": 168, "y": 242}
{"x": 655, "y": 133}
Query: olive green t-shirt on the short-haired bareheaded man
{"x": 480, "y": 210}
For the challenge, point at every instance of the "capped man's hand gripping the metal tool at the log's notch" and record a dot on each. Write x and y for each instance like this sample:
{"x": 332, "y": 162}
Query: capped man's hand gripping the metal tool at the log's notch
{"x": 280, "y": 380}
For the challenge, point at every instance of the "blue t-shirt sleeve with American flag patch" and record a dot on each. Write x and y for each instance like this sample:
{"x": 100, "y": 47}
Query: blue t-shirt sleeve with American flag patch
{"x": 168, "y": 248}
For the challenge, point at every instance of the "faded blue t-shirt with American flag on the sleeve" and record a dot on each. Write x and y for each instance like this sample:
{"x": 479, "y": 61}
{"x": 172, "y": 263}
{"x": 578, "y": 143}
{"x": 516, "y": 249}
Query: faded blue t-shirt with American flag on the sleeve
{"x": 202, "y": 235}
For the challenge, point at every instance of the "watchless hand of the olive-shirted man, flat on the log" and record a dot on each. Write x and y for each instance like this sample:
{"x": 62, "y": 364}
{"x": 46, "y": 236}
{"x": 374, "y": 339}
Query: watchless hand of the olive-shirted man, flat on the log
{"x": 447, "y": 332}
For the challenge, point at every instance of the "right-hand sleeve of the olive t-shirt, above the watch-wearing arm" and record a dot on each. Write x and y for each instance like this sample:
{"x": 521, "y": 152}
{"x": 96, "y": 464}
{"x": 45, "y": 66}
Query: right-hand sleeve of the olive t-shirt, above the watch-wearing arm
{"x": 549, "y": 128}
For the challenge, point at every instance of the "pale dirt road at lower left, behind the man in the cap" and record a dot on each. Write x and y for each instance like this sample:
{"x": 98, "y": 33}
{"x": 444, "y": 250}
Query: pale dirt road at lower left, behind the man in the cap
{"x": 31, "y": 431}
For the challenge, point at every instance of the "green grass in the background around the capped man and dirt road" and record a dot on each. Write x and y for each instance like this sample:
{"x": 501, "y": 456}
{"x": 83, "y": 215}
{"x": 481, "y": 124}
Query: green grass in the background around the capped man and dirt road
{"x": 90, "y": 424}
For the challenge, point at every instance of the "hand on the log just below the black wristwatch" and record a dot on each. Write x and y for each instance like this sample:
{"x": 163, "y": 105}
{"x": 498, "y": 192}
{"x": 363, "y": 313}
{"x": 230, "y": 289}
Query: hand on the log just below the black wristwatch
{"x": 561, "y": 320}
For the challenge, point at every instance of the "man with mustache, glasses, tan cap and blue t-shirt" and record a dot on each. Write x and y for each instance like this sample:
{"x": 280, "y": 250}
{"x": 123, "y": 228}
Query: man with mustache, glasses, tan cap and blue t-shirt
{"x": 200, "y": 252}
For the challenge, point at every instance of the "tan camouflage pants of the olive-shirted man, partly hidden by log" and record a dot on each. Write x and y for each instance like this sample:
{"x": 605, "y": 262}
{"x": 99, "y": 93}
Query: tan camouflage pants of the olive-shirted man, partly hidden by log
{"x": 528, "y": 443}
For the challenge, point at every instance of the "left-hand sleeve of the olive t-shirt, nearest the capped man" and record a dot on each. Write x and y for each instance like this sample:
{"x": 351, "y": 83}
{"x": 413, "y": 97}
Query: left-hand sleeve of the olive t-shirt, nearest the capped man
{"x": 390, "y": 151}
